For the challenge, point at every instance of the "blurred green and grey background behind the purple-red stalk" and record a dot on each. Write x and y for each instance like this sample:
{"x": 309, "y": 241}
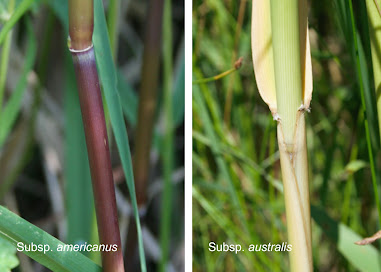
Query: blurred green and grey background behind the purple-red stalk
{"x": 44, "y": 173}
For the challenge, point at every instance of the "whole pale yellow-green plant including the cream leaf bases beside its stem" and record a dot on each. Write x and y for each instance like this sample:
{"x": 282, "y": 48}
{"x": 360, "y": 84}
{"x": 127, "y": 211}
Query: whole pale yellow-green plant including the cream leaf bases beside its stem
{"x": 279, "y": 30}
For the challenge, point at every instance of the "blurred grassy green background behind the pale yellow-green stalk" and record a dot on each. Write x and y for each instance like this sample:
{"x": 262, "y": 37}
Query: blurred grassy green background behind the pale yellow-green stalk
{"x": 237, "y": 188}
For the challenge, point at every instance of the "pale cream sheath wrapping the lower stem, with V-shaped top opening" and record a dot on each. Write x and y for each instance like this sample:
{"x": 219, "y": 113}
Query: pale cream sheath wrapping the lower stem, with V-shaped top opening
{"x": 296, "y": 194}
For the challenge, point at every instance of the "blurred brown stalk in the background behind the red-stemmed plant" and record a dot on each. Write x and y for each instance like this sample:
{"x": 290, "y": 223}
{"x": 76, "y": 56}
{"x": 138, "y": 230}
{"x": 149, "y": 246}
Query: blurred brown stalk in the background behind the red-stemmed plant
{"x": 147, "y": 98}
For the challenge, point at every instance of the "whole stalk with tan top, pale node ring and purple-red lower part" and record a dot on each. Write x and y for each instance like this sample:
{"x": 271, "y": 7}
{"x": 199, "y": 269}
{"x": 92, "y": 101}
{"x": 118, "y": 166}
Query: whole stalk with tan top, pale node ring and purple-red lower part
{"x": 81, "y": 31}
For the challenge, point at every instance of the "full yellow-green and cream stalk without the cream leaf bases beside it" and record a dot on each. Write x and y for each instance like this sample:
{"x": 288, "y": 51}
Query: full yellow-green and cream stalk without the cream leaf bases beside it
{"x": 291, "y": 130}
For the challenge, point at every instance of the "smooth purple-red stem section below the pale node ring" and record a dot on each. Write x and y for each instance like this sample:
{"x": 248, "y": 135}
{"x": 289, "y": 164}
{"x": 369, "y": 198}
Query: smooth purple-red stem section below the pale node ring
{"x": 99, "y": 157}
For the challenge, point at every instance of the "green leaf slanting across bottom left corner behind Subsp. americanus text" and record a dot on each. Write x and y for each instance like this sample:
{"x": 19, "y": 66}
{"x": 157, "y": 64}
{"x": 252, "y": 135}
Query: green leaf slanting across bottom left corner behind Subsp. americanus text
{"x": 20, "y": 232}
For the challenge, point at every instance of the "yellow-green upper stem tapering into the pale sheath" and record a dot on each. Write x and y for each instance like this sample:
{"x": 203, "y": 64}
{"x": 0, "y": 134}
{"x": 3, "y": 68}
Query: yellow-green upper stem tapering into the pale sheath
{"x": 285, "y": 29}
